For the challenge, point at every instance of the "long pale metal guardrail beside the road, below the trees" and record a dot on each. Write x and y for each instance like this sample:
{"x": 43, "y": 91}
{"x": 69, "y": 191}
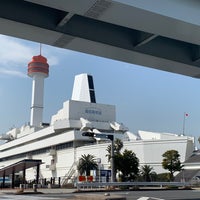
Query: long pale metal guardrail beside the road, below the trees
{"x": 80, "y": 185}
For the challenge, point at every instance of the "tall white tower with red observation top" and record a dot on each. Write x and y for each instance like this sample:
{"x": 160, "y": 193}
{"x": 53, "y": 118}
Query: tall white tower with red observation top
{"x": 38, "y": 69}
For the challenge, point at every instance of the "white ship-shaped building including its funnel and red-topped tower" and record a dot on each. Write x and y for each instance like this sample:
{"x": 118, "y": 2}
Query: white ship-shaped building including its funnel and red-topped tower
{"x": 60, "y": 144}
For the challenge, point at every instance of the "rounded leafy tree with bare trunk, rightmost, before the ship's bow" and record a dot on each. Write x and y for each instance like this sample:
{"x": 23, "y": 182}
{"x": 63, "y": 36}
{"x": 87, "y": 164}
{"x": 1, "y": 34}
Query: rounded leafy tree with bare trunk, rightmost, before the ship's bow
{"x": 171, "y": 162}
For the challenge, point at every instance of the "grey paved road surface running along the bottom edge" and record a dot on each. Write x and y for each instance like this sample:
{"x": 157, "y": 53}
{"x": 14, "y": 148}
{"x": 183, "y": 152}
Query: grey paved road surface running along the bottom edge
{"x": 130, "y": 195}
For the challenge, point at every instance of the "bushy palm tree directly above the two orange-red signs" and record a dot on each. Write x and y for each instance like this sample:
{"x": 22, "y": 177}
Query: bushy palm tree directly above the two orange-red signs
{"x": 87, "y": 163}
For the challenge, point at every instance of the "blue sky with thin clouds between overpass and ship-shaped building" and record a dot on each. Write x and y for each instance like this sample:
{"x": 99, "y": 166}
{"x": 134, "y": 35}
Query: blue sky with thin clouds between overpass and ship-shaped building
{"x": 145, "y": 98}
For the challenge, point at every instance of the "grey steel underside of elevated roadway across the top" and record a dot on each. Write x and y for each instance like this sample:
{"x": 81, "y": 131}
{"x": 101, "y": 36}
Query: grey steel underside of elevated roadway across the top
{"x": 160, "y": 34}
